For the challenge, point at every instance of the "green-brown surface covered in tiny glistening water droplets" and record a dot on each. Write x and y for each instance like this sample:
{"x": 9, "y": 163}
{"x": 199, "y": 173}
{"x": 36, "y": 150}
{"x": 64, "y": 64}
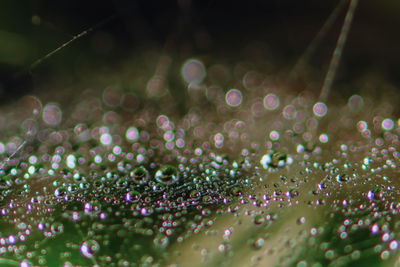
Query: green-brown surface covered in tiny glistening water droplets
{"x": 250, "y": 170}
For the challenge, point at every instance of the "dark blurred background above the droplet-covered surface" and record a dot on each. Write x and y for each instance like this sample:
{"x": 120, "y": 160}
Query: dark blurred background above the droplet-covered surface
{"x": 31, "y": 29}
